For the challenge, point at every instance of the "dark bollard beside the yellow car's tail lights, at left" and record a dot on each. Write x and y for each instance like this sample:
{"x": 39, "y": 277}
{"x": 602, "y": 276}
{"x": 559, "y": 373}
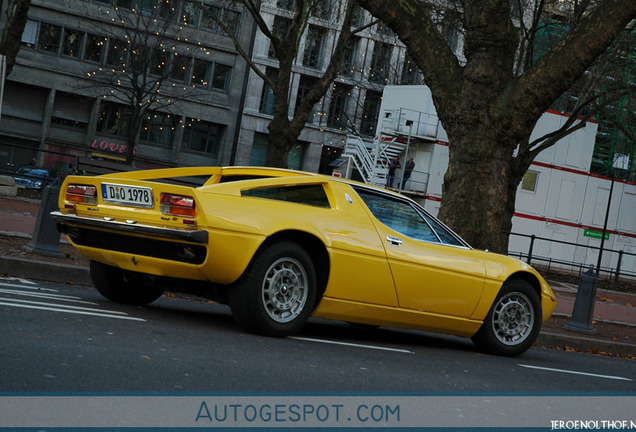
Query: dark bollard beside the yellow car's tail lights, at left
{"x": 46, "y": 237}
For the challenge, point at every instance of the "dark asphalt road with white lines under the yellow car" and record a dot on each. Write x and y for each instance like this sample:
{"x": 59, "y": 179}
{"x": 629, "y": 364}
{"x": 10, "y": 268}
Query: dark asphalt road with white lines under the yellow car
{"x": 62, "y": 338}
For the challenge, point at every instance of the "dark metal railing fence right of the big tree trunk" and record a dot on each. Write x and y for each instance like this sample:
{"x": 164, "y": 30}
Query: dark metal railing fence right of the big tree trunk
{"x": 552, "y": 265}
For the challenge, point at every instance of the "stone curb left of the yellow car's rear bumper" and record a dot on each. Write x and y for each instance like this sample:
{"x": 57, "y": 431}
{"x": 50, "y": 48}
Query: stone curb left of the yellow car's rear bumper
{"x": 39, "y": 270}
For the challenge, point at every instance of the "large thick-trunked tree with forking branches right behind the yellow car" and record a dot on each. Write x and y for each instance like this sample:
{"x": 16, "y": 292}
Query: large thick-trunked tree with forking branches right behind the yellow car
{"x": 489, "y": 98}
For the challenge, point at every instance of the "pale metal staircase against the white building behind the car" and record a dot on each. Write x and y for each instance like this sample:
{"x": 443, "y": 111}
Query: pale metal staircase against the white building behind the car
{"x": 372, "y": 157}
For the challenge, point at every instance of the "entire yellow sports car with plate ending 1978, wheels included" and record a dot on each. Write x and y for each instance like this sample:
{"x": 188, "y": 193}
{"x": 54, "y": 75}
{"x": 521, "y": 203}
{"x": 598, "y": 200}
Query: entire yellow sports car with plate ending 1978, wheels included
{"x": 280, "y": 245}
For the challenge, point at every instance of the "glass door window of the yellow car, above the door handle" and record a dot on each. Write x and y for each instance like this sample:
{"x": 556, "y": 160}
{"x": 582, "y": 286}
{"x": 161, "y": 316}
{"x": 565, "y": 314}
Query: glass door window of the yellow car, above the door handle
{"x": 399, "y": 216}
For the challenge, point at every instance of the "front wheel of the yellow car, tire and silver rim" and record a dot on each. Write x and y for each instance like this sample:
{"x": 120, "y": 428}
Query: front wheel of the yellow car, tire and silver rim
{"x": 513, "y": 321}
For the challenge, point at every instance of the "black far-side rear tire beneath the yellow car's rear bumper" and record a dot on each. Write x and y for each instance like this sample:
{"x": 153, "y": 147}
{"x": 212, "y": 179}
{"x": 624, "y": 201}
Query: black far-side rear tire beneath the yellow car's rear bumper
{"x": 123, "y": 286}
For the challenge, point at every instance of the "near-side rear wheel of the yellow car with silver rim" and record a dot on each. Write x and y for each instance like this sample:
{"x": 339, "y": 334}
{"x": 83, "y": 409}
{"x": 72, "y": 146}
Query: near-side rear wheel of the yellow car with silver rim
{"x": 278, "y": 291}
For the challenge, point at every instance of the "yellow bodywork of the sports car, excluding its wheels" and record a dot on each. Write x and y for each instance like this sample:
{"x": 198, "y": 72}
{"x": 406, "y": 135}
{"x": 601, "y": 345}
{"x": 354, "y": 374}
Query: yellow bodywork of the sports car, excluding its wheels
{"x": 366, "y": 271}
